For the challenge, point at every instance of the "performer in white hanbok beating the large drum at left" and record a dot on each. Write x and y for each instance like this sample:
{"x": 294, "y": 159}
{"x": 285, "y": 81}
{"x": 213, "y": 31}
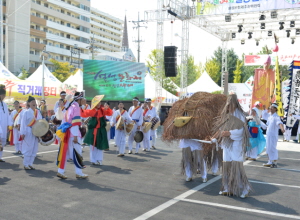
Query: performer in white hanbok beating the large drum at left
{"x": 29, "y": 141}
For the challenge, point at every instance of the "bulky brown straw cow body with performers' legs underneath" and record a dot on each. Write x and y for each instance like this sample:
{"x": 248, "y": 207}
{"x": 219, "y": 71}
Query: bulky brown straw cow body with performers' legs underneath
{"x": 190, "y": 121}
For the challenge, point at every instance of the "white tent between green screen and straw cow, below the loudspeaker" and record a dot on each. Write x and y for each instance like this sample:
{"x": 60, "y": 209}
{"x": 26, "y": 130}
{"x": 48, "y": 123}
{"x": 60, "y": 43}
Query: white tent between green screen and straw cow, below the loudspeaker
{"x": 150, "y": 91}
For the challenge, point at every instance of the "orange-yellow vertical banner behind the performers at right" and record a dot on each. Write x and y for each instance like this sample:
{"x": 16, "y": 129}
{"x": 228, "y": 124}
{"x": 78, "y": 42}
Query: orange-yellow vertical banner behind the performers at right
{"x": 264, "y": 87}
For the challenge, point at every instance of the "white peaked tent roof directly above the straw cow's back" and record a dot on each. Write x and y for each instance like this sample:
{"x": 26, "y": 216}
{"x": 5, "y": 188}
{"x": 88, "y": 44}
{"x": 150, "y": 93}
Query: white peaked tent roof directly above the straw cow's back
{"x": 203, "y": 84}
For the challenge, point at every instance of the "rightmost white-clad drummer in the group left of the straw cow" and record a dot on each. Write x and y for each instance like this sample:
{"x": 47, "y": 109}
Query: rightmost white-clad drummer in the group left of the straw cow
{"x": 148, "y": 114}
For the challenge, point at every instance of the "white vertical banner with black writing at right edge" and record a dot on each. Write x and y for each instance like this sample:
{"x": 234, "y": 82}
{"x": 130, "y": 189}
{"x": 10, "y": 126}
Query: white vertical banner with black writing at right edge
{"x": 294, "y": 96}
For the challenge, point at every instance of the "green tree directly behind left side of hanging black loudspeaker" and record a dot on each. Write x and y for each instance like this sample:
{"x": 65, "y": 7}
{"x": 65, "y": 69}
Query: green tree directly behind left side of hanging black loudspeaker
{"x": 152, "y": 64}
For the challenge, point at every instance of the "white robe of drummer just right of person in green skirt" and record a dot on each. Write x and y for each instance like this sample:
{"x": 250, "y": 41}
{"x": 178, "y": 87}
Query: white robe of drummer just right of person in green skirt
{"x": 120, "y": 137}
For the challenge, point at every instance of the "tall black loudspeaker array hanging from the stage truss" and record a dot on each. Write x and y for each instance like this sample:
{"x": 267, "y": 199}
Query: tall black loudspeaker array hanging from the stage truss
{"x": 170, "y": 61}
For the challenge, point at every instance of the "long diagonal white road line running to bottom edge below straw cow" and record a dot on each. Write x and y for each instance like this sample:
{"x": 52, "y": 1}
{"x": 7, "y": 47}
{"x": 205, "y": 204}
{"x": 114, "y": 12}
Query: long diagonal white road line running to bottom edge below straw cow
{"x": 176, "y": 199}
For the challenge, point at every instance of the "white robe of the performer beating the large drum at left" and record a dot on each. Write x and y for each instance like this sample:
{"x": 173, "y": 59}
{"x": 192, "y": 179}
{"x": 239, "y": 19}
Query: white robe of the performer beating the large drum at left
{"x": 30, "y": 142}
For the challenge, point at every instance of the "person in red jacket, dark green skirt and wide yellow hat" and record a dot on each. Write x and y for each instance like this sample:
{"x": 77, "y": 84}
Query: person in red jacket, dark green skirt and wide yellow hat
{"x": 96, "y": 135}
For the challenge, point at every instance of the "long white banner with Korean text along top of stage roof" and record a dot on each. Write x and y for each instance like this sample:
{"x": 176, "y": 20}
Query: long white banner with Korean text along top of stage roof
{"x": 215, "y": 7}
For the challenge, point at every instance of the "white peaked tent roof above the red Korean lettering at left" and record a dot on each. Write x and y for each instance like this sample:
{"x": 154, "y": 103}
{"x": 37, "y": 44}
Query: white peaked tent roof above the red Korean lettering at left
{"x": 49, "y": 77}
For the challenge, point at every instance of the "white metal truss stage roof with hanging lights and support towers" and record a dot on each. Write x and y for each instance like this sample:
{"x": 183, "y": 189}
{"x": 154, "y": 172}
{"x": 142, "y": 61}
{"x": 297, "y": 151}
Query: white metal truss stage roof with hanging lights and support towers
{"x": 230, "y": 20}
